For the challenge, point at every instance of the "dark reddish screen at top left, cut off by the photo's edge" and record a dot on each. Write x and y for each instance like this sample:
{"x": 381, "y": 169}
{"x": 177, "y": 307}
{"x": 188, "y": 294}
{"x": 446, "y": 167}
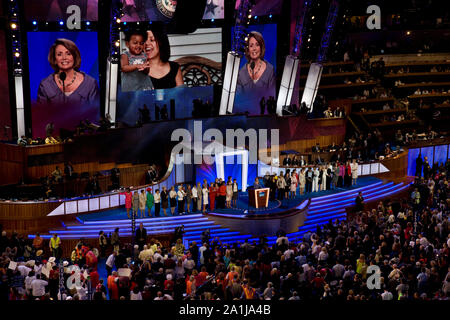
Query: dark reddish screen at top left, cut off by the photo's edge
{"x": 57, "y": 10}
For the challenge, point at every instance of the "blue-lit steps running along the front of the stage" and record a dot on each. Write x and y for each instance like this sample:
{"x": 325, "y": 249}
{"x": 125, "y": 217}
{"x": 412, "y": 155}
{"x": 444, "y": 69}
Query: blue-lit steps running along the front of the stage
{"x": 321, "y": 210}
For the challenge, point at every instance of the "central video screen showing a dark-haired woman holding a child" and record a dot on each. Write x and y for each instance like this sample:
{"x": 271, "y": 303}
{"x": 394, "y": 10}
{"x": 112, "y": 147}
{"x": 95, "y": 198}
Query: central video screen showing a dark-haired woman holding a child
{"x": 175, "y": 70}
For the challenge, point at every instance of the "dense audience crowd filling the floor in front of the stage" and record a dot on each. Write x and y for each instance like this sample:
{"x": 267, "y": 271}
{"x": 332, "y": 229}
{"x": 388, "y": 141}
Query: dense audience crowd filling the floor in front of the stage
{"x": 407, "y": 240}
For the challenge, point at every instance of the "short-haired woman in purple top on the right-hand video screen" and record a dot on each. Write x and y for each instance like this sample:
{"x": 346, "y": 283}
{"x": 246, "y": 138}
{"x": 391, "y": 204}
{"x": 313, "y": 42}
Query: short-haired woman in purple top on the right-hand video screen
{"x": 257, "y": 76}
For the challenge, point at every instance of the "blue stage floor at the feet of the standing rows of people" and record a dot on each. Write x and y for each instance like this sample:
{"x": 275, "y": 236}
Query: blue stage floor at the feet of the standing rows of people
{"x": 242, "y": 204}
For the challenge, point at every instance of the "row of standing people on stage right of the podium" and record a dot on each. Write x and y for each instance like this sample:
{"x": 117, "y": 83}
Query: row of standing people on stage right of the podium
{"x": 311, "y": 179}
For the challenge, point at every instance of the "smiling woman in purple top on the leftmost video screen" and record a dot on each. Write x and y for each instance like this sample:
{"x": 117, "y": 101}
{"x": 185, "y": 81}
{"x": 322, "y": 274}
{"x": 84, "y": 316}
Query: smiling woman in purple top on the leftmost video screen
{"x": 67, "y": 85}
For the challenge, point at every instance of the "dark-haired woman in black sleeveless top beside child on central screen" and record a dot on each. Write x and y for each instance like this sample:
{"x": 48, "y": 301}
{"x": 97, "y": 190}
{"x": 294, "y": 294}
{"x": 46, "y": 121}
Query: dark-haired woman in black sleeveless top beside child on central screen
{"x": 163, "y": 73}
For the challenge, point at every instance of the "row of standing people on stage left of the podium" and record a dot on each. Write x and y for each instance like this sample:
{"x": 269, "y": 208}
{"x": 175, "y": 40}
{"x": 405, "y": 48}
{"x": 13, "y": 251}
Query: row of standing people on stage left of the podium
{"x": 182, "y": 199}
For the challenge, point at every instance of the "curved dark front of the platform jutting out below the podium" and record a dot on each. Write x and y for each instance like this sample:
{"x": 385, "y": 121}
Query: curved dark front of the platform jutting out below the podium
{"x": 264, "y": 224}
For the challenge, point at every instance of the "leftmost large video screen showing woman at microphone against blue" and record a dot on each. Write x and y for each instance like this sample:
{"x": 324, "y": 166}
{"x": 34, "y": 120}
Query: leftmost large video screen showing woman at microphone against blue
{"x": 64, "y": 80}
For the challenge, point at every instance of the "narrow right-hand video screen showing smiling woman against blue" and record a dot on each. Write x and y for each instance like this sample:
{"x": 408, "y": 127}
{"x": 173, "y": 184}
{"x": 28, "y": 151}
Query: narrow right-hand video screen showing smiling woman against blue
{"x": 257, "y": 71}
